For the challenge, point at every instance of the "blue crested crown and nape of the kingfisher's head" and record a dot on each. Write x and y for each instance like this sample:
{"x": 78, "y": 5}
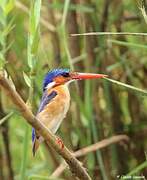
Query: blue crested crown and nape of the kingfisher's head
{"x": 53, "y": 74}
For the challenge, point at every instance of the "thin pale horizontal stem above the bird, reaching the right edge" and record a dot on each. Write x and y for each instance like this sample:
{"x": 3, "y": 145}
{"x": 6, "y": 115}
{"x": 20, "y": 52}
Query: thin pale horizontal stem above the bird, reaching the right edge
{"x": 110, "y": 33}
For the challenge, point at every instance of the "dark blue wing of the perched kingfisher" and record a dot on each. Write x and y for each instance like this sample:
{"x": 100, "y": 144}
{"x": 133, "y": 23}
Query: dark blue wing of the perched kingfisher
{"x": 46, "y": 98}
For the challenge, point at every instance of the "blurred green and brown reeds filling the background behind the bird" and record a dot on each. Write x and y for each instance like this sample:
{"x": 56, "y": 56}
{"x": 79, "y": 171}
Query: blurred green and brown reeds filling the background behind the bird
{"x": 35, "y": 38}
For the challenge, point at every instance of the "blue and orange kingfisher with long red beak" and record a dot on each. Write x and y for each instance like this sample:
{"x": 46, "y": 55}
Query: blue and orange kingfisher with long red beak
{"x": 56, "y": 100}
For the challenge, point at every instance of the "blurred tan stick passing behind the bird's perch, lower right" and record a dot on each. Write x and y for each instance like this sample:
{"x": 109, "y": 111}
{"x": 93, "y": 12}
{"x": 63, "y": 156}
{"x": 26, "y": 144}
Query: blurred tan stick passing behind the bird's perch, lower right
{"x": 91, "y": 148}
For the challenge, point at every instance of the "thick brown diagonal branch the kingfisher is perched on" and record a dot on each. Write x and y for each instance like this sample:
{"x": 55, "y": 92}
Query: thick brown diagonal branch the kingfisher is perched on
{"x": 75, "y": 166}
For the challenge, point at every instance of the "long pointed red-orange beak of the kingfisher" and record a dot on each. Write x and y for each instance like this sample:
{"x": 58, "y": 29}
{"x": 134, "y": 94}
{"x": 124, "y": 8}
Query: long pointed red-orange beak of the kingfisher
{"x": 80, "y": 76}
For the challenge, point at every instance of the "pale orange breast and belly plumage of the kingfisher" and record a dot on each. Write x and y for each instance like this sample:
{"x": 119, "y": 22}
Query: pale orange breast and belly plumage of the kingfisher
{"x": 55, "y": 111}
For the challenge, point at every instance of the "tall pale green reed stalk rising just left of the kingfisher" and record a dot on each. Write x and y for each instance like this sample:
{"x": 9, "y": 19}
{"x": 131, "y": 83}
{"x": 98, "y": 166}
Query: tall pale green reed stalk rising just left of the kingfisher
{"x": 32, "y": 47}
